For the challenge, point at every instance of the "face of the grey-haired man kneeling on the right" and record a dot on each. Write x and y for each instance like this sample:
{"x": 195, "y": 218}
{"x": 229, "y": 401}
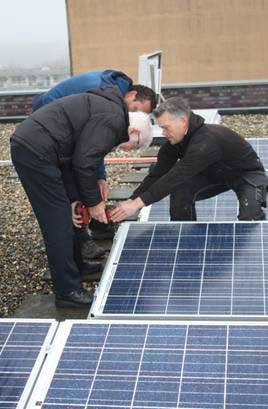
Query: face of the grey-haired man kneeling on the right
{"x": 174, "y": 128}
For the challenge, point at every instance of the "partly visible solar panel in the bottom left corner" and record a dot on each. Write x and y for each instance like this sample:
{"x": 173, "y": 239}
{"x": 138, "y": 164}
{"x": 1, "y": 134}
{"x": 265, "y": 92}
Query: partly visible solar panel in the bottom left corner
{"x": 23, "y": 346}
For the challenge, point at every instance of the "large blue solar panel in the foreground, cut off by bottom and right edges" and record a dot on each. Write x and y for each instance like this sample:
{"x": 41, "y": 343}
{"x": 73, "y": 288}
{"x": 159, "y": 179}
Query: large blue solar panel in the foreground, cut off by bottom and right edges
{"x": 156, "y": 366}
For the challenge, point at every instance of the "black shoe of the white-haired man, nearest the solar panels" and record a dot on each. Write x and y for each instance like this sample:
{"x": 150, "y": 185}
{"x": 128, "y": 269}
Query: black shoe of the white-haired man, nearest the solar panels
{"x": 74, "y": 299}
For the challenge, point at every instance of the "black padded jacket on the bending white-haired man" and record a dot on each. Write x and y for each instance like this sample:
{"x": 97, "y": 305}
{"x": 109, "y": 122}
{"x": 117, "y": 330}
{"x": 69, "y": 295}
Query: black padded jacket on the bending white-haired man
{"x": 75, "y": 133}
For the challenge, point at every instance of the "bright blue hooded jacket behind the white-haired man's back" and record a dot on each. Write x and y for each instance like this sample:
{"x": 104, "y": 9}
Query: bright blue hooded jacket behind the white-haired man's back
{"x": 83, "y": 83}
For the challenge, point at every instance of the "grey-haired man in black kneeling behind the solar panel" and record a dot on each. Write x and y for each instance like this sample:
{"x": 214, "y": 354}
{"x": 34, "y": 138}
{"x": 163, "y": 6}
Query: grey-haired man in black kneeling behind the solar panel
{"x": 199, "y": 161}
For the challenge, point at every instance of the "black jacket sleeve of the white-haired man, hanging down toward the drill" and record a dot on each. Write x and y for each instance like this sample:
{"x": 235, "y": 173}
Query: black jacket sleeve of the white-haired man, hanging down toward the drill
{"x": 99, "y": 136}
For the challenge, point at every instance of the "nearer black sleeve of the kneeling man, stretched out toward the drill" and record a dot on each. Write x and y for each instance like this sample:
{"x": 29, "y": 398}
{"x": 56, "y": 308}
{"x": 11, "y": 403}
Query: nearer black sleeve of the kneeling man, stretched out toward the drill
{"x": 200, "y": 154}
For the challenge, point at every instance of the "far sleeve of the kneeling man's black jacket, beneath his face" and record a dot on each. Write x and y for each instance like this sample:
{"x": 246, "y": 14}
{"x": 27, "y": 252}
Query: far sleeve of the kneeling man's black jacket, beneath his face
{"x": 166, "y": 158}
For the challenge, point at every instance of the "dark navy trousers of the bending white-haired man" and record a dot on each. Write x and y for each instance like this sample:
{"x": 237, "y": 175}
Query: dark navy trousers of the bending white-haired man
{"x": 43, "y": 185}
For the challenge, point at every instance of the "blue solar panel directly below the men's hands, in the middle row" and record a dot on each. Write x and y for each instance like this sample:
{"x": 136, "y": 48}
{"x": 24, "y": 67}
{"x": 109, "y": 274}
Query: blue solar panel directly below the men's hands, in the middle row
{"x": 186, "y": 269}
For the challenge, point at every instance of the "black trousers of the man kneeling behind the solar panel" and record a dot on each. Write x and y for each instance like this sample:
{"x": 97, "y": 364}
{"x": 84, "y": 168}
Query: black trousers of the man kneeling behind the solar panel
{"x": 251, "y": 198}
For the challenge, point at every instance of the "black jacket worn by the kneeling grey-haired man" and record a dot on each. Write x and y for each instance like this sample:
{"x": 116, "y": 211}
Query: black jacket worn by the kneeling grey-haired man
{"x": 212, "y": 150}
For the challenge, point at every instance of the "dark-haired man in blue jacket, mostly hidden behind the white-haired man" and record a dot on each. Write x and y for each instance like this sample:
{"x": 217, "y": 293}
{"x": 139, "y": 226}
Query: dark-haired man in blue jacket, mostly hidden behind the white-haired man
{"x": 138, "y": 98}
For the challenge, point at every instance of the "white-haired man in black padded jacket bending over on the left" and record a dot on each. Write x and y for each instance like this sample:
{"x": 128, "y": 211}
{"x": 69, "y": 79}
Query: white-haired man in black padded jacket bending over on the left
{"x": 80, "y": 129}
